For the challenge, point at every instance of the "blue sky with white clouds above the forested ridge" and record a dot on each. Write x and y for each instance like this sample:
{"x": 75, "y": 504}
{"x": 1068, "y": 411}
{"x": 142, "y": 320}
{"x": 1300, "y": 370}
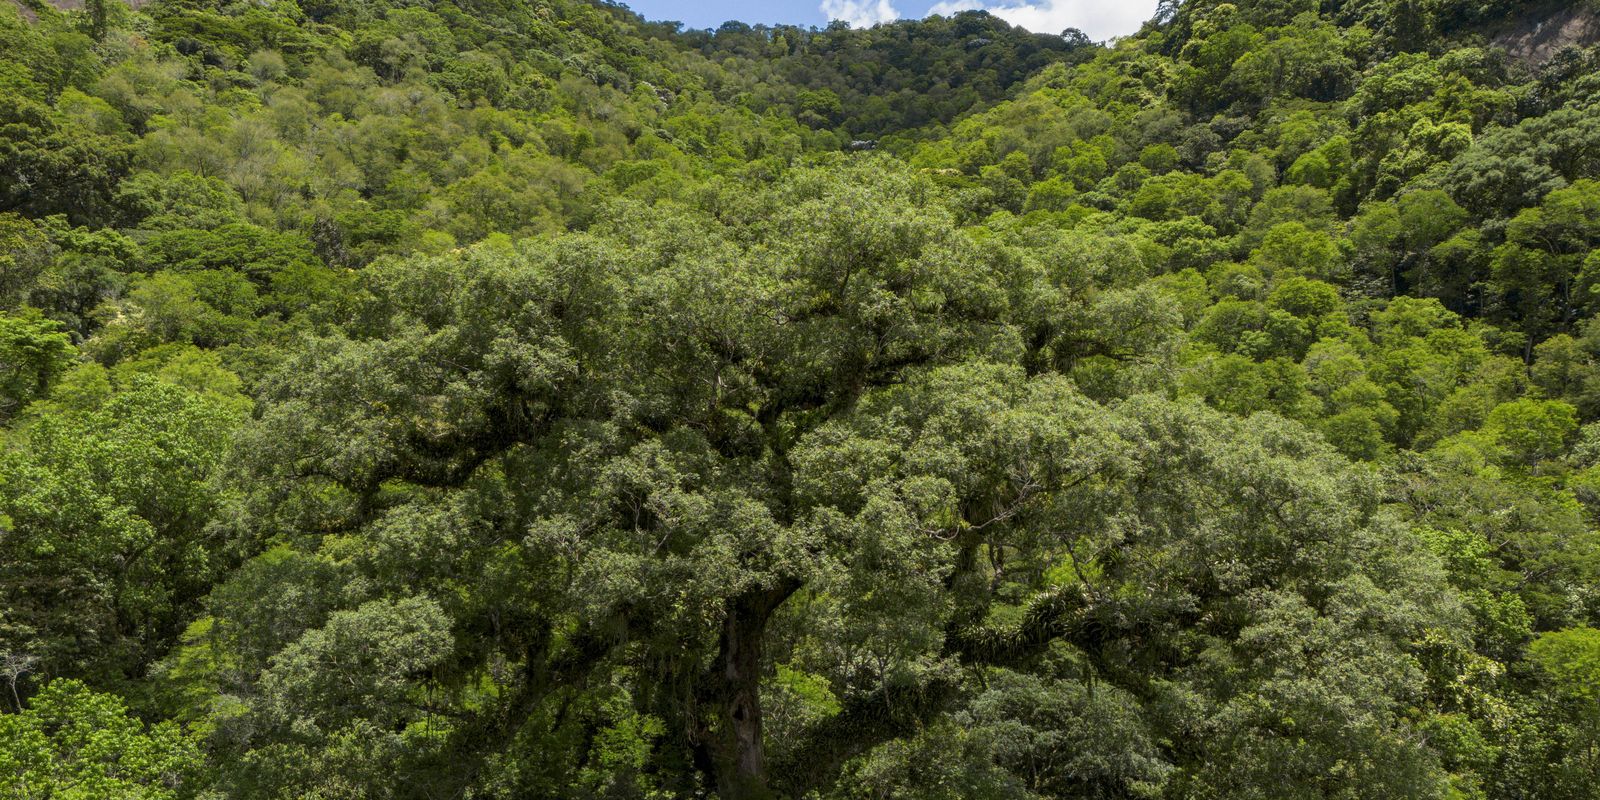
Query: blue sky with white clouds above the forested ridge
{"x": 1098, "y": 18}
